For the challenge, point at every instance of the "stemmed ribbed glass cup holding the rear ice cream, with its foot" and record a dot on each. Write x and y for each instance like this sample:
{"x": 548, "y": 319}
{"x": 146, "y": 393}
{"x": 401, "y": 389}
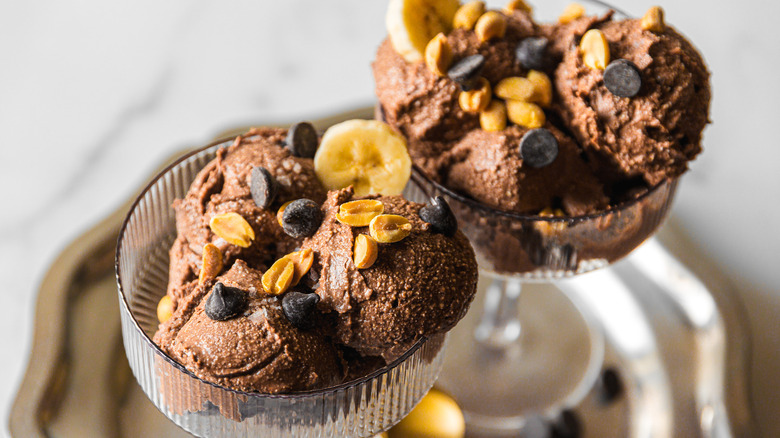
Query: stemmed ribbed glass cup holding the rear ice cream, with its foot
{"x": 511, "y": 359}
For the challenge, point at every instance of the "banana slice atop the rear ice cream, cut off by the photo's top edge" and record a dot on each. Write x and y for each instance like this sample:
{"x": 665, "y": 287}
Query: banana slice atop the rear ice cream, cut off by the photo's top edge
{"x": 412, "y": 23}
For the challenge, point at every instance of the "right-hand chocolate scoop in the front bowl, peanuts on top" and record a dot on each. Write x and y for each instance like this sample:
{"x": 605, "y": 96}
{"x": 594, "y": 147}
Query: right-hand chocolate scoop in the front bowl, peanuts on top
{"x": 419, "y": 286}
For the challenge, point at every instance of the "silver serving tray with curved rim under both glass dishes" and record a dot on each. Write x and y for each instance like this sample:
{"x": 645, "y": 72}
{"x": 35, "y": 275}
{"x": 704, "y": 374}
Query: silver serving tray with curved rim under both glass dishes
{"x": 675, "y": 331}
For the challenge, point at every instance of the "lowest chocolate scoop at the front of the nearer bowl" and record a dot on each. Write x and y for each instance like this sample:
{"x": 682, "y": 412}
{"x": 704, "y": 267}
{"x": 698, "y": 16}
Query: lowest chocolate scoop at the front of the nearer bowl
{"x": 257, "y": 350}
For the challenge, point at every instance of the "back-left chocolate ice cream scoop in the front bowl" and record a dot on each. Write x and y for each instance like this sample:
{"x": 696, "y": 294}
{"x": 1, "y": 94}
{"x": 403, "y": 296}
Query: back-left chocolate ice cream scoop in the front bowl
{"x": 224, "y": 186}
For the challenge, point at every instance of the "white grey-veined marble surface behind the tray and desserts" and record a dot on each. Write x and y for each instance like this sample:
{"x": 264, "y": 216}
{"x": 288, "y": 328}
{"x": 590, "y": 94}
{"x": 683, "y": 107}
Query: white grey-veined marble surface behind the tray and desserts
{"x": 94, "y": 94}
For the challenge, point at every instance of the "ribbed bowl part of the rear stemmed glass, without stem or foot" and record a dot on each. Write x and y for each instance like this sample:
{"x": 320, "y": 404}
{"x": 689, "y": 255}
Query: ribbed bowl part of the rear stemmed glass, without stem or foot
{"x": 540, "y": 247}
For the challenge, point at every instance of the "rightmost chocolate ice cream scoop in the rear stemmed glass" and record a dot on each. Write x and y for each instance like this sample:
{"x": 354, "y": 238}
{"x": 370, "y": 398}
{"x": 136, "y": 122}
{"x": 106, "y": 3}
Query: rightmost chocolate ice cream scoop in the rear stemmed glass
{"x": 653, "y": 134}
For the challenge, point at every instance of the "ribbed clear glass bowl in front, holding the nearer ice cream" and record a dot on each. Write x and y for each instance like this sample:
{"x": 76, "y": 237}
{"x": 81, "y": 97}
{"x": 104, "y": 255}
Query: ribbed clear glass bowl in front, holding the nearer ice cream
{"x": 362, "y": 407}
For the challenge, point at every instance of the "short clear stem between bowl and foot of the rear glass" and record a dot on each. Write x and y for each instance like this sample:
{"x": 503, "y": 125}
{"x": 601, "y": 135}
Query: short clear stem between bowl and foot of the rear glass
{"x": 500, "y": 326}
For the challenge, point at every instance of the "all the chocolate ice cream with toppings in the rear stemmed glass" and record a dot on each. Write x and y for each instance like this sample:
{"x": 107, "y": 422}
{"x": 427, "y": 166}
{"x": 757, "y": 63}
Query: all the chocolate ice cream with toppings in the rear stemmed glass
{"x": 613, "y": 144}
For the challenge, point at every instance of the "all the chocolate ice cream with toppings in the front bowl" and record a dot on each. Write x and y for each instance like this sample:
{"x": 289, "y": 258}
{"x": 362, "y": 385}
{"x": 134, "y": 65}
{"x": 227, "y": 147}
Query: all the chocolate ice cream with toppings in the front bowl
{"x": 270, "y": 292}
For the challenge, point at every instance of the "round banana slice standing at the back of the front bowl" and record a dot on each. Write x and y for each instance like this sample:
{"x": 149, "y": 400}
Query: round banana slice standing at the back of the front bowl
{"x": 366, "y": 154}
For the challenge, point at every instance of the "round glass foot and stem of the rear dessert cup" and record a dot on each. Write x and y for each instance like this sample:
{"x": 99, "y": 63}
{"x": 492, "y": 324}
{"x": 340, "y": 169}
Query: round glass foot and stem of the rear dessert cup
{"x": 548, "y": 362}
